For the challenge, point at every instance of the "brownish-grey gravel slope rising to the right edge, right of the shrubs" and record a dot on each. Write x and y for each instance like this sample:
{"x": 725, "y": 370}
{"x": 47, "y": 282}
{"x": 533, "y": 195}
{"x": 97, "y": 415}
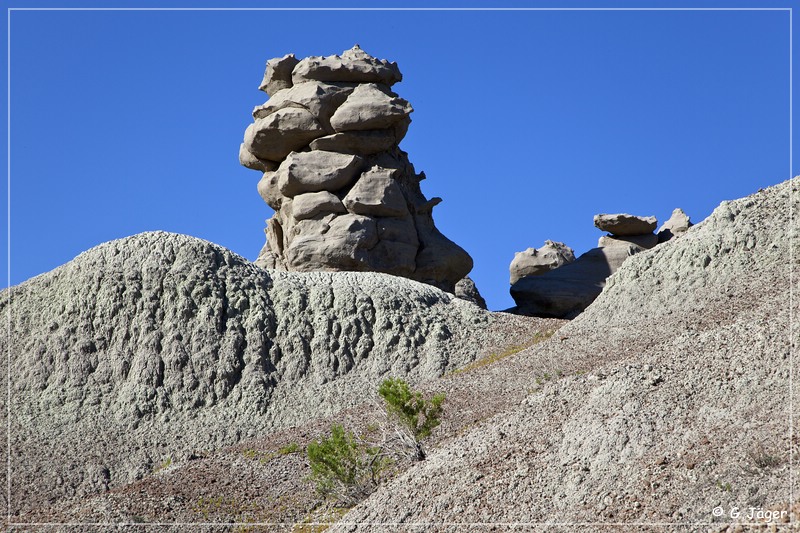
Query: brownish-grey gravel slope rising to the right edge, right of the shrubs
{"x": 685, "y": 409}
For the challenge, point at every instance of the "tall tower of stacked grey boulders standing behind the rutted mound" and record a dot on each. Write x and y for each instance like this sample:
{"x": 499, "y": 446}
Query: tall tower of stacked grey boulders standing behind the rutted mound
{"x": 345, "y": 196}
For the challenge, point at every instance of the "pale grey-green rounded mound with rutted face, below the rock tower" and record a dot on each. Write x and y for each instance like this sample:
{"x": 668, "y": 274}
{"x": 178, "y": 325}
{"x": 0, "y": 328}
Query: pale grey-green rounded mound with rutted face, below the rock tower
{"x": 147, "y": 349}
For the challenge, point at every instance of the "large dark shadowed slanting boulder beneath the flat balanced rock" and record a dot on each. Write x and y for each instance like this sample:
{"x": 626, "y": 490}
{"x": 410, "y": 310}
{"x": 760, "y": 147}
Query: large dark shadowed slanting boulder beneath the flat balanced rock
{"x": 566, "y": 291}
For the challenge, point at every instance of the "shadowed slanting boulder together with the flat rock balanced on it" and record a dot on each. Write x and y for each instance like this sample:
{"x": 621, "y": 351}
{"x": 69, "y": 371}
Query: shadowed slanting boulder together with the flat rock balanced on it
{"x": 567, "y": 290}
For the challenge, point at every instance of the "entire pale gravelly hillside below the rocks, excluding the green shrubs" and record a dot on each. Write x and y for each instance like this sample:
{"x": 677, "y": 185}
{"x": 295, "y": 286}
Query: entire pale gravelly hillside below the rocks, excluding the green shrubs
{"x": 667, "y": 398}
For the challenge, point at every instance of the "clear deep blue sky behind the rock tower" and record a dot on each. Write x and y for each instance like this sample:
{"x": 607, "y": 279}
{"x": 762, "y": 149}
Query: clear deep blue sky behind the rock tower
{"x": 527, "y": 123}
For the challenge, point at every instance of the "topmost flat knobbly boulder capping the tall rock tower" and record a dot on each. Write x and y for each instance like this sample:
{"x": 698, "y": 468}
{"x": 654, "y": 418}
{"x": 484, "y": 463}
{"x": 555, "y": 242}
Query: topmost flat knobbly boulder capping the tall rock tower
{"x": 354, "y": 65}
